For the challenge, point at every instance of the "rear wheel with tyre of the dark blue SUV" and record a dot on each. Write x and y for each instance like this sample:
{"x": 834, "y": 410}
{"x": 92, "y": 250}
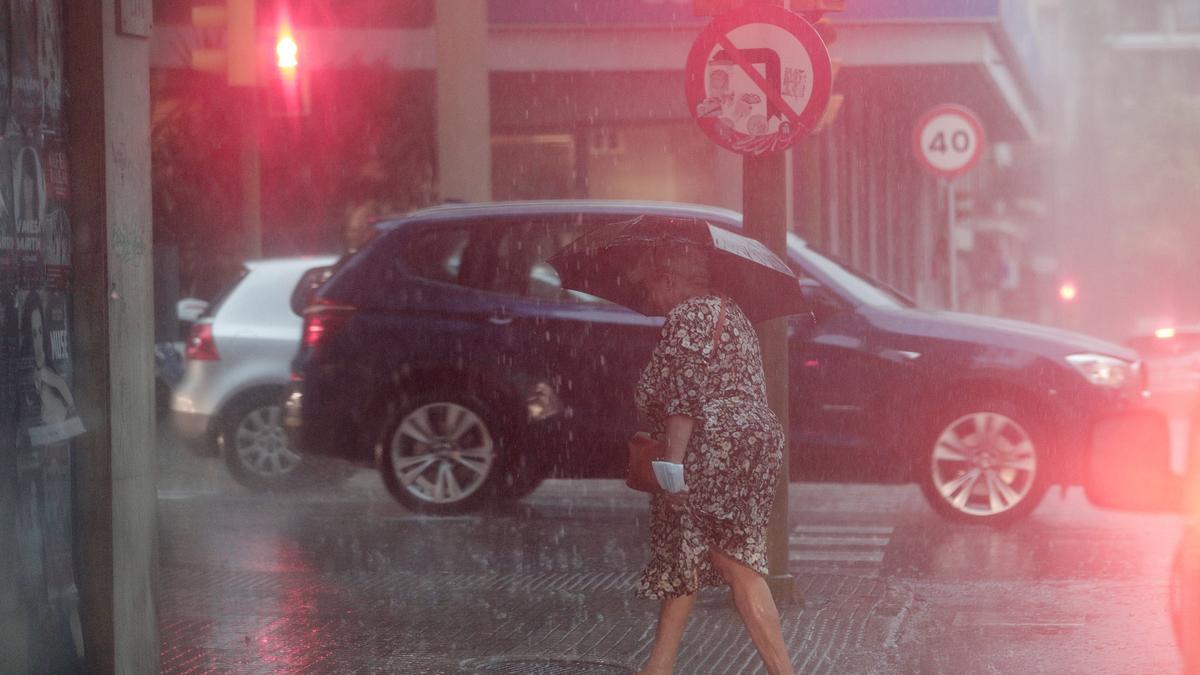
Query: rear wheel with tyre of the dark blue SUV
{"x": 442, "y": 456}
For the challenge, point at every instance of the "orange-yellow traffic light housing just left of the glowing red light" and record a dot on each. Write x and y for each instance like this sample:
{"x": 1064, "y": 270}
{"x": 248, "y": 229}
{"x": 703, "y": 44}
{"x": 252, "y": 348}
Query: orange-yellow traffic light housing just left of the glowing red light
{"x": 235, "y": 56}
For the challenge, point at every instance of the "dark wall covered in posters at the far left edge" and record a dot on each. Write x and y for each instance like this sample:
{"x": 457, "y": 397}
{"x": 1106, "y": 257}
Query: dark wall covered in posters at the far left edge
{"x": 38, "y": 409}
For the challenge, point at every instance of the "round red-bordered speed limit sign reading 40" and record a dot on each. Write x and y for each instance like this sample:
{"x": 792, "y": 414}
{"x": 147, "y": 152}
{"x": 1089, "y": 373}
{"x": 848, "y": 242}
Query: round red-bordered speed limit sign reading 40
{"x": 949, "y": 141}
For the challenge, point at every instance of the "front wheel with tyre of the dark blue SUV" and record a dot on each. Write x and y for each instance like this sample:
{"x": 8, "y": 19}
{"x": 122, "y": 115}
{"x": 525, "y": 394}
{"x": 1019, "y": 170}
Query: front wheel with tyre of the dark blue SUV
{"x": 983, "y": 463}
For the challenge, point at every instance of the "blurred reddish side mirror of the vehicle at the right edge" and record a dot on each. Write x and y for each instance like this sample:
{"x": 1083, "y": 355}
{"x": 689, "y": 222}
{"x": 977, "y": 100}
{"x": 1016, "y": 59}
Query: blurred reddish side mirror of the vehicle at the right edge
{"x": 1129, "y": 465}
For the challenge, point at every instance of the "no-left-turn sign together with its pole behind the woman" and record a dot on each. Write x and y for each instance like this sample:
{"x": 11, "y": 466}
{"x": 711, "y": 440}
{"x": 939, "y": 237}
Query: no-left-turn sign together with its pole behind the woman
{"x": 779, "y": 65}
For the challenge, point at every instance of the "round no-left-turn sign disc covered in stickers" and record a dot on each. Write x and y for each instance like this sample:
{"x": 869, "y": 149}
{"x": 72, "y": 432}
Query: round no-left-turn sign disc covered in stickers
{"x": 758, "y": 80}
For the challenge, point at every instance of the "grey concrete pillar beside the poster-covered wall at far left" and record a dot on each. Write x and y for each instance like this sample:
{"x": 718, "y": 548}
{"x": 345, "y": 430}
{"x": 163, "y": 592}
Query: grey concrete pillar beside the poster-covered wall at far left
{"x": 116, "y": 461}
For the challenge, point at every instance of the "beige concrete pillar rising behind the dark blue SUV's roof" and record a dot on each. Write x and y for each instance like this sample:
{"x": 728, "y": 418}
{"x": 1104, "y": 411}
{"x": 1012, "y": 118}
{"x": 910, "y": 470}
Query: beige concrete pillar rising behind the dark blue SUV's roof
{"x": 464, "y": 101}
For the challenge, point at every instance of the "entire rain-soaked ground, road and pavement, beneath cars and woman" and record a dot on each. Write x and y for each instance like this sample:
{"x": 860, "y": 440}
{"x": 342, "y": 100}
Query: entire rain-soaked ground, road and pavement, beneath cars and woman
{"x": 343, "y": 580}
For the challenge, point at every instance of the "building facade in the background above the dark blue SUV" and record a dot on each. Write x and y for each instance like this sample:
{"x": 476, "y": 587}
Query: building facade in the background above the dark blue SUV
{"x": 586, "y": 100}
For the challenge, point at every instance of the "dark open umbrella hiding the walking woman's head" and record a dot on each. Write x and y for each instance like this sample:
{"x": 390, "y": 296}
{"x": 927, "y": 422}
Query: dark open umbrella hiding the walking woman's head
{"x": 604, "y": 260}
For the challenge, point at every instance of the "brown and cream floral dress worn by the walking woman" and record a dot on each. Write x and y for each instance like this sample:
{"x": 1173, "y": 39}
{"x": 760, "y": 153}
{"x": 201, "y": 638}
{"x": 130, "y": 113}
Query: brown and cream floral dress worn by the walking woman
{"x": 733, "y": 458}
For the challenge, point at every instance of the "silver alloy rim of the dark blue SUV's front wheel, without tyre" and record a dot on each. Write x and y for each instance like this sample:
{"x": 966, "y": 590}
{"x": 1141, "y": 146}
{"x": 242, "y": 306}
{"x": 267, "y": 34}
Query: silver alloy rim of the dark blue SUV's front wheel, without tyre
{"x": 985, "y": 464}
